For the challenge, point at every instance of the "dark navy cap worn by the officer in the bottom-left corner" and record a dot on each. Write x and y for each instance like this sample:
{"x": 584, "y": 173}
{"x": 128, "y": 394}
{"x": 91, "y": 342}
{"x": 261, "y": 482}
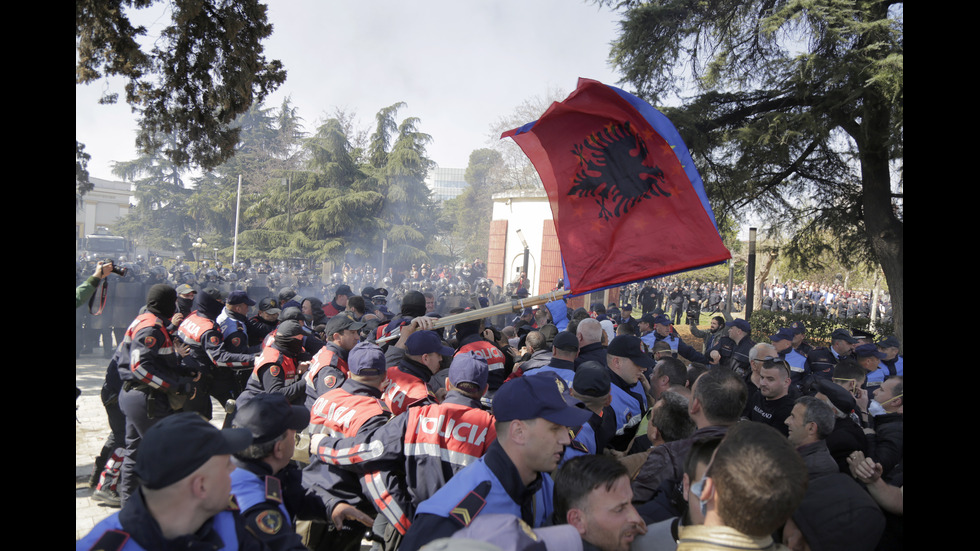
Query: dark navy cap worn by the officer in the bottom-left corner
{"x": 179, "y": 444}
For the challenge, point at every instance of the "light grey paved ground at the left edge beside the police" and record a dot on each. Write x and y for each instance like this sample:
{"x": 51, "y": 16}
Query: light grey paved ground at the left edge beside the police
{"x": 91, "y": 429}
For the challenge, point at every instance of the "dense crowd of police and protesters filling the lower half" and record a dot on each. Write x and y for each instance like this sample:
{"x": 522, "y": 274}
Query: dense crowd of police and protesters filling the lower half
{"x": 557, "y": 428}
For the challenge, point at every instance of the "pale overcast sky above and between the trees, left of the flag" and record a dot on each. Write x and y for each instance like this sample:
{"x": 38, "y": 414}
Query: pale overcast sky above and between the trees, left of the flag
{"x": 458, "y": 65}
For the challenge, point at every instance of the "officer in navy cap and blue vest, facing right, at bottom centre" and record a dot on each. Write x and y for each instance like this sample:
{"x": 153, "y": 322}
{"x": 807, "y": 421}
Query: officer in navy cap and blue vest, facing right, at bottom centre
{"x": 533, "y": 416}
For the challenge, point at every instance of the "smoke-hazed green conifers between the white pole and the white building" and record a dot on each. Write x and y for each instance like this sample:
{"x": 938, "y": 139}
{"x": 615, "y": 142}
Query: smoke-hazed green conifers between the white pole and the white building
{"x": 343, "y": 201}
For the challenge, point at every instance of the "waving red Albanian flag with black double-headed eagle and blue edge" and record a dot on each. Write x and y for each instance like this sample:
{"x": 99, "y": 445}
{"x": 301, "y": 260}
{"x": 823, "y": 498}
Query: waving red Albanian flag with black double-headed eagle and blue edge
{"x": 627, "y": 202}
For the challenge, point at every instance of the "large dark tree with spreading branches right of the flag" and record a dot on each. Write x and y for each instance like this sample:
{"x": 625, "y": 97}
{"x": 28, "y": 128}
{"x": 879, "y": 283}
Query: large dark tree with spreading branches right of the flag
{"x": 793, "y": 111}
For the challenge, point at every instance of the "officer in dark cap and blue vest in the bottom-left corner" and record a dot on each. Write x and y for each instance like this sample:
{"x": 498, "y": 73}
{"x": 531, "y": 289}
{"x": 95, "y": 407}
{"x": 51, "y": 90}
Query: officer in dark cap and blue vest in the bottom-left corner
{"x": 184, "y": 500}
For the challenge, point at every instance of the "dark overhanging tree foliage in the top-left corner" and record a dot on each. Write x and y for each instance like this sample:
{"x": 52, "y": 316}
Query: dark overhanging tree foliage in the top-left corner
{"x": 206, "y": 68}
